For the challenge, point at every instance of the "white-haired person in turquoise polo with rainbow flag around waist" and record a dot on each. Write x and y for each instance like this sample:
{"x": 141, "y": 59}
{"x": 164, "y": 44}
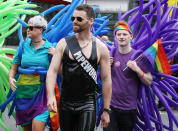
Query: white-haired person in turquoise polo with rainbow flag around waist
{"x": 31, "y": 103}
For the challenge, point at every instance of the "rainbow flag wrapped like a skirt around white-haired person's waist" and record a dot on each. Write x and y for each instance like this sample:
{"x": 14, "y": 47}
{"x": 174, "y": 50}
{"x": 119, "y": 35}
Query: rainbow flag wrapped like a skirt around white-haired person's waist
{"x": 31, "y": 98}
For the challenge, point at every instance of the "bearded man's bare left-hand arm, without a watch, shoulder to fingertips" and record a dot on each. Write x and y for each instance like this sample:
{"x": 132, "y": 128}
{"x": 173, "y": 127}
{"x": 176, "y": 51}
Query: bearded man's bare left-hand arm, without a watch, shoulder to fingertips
{"x": 52, "y": 75}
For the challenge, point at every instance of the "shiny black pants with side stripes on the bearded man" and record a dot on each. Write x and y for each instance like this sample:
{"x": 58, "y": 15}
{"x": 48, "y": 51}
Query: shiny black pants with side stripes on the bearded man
{"x": 77, "y": 116}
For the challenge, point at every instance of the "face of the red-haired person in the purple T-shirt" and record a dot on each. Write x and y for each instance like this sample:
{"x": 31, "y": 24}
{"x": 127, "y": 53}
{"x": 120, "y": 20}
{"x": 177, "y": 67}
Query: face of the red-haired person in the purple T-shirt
{"x": 123, "y": 38}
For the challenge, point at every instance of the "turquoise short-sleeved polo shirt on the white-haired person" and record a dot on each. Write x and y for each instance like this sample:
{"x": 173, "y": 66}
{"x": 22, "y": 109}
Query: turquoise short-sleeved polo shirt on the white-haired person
{"x": 32, "y": 57}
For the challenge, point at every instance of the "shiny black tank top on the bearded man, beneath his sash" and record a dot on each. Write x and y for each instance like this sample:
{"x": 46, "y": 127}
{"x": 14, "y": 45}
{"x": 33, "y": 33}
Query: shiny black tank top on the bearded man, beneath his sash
{"x": 76, "y": 84}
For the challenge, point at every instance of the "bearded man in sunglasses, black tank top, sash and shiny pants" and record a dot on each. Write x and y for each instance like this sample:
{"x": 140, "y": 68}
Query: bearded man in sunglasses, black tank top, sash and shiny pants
{"x": 79, "y": 55}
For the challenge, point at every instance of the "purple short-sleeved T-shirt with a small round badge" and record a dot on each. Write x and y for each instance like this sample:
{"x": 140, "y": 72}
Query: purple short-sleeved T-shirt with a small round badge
{"x": 125, "y": 83}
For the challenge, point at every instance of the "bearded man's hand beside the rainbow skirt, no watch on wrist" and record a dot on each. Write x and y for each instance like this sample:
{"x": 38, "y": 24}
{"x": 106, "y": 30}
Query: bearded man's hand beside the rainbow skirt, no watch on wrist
{"x": 52, "y": 106}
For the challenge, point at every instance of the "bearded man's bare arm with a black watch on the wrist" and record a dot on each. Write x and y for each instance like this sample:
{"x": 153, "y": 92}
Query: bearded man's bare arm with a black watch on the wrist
{"x": 105, "y": 71}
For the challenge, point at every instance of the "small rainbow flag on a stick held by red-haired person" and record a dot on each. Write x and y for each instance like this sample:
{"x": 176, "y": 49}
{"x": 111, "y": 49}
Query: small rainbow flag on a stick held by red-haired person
{"x": 157, "y": 57}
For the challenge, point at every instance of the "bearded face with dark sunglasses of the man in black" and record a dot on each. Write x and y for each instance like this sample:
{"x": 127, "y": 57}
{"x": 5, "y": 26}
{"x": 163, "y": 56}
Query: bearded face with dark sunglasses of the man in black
{"x": 81, "y": 22}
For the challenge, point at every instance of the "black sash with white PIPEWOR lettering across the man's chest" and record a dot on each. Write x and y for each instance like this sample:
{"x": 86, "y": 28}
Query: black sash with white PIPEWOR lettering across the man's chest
{"x": 81, "y": 60}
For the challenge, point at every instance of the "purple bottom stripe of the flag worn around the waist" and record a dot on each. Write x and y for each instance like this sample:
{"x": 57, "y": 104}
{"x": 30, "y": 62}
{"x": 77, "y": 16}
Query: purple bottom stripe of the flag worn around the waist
{"x": 26, "y": 115}
